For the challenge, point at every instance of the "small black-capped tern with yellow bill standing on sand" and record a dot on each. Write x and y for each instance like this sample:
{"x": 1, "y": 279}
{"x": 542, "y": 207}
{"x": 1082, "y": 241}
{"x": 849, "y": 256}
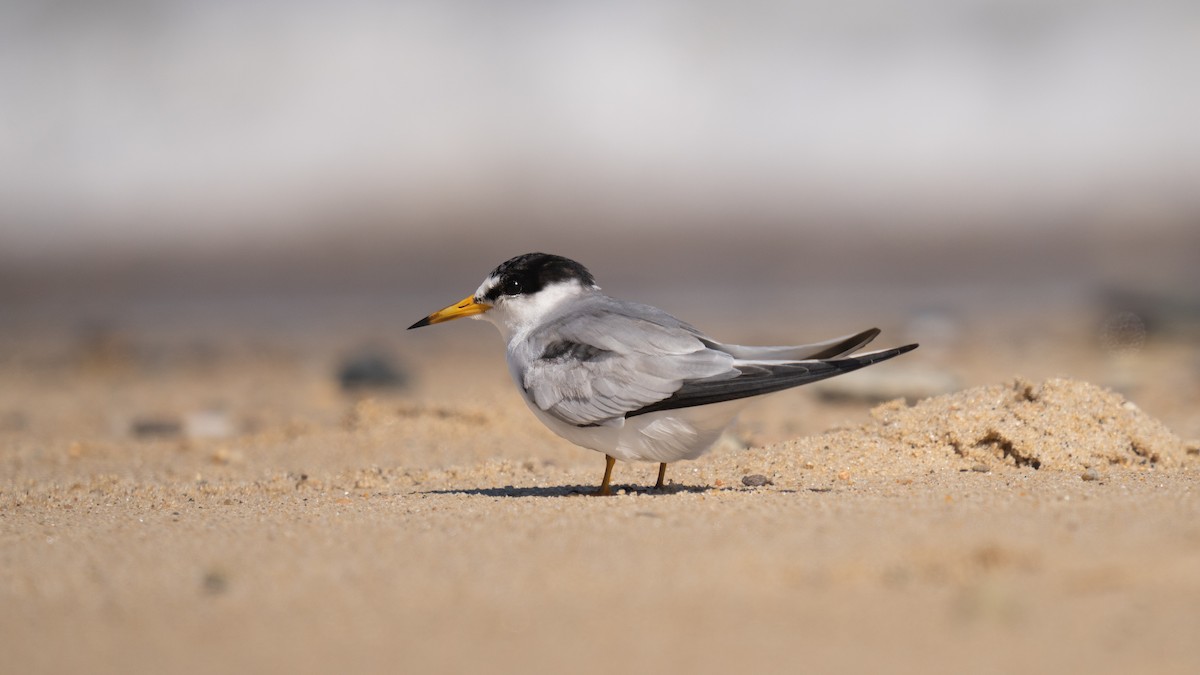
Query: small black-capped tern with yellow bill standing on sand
{"x": 631, "y": 380}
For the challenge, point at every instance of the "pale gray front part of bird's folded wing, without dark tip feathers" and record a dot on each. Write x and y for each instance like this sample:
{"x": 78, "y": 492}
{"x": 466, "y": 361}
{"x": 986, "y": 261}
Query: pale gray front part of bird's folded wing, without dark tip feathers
{"x": 603, "y": 363}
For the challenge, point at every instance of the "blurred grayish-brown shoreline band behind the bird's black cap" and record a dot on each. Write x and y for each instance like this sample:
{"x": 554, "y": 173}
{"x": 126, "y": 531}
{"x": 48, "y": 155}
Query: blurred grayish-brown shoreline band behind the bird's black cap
{"x": 848, "y": 272}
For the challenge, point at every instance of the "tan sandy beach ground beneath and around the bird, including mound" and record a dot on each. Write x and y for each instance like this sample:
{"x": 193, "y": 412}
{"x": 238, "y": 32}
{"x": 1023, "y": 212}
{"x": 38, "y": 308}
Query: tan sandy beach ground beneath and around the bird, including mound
{"x": 194, "y": 510}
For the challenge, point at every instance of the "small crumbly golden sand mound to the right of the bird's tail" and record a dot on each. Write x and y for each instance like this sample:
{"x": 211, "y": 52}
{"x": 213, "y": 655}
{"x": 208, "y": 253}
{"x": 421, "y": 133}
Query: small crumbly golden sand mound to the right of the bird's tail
{"x": 1059, "y": 425}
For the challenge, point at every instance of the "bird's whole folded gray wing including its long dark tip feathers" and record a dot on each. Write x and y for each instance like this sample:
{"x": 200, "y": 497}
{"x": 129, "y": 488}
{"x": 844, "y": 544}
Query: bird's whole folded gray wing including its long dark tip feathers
{"x": 610, "y": 361}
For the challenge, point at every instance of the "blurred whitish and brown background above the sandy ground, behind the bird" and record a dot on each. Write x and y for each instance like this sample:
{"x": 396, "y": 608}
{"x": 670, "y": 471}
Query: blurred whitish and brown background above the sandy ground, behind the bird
{"x": 1019, "y": 175}
